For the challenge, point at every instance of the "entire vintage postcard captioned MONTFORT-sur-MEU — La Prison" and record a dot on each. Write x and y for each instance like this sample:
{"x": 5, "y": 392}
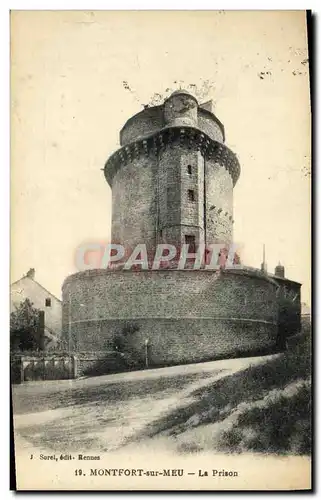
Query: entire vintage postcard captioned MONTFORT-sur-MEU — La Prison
{"x": 160, "y": 332}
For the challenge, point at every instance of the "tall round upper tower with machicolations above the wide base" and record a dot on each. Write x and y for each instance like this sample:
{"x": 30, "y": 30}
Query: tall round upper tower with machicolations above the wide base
{"x": 172, "y": 178}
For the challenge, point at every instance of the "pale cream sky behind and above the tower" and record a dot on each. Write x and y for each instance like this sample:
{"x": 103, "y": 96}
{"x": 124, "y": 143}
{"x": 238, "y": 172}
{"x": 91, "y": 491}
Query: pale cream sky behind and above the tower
{"x": 69, "y": 103}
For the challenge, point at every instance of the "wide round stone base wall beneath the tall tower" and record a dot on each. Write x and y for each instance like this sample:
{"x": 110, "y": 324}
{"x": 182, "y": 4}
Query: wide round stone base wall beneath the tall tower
{"x": 170, "y": 317}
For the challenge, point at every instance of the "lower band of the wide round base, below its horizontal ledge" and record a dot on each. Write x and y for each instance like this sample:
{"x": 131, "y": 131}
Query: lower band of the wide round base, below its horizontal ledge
{"x": 175, "y": 341}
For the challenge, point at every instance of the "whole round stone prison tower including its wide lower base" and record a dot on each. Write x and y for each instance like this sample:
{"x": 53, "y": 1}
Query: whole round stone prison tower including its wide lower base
{"x": 172, "y": 183}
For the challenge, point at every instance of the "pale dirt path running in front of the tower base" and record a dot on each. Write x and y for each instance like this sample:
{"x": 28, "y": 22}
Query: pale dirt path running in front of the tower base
{"x": 104, "y": 413}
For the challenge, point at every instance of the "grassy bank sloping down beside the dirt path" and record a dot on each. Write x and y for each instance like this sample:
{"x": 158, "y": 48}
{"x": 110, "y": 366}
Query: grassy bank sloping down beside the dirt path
{"x": 264, "y": 408}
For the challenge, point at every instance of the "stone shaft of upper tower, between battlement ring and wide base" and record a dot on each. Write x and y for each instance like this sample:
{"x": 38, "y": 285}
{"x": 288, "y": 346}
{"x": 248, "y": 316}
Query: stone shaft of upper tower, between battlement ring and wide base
{"x": 151, "y": 203}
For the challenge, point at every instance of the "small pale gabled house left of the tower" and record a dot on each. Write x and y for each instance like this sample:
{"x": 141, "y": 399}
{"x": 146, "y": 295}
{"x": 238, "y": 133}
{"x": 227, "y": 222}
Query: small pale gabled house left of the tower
{"x": 28, "y": 288}
